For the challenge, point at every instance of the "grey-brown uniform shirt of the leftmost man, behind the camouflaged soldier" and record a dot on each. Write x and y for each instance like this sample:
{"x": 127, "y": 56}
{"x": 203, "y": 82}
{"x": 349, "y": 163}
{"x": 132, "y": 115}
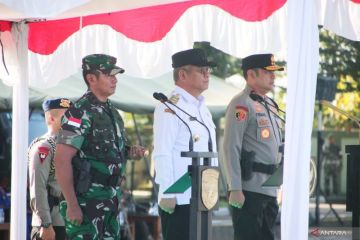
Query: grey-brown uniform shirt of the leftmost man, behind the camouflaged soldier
{"x": 41, "y": 177}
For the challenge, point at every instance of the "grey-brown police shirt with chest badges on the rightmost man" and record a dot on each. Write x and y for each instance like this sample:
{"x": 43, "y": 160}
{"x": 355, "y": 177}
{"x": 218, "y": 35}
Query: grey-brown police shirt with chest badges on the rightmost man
{"x": 249, "y": 126}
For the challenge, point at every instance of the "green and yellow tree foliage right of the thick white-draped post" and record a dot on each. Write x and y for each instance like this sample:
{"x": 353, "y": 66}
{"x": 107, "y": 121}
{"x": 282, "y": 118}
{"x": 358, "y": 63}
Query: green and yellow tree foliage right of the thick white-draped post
{"x": 340, "y": 59}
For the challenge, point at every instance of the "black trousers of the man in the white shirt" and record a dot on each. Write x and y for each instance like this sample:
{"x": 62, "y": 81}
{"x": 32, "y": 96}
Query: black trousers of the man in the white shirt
{"x": 175, "y": 226}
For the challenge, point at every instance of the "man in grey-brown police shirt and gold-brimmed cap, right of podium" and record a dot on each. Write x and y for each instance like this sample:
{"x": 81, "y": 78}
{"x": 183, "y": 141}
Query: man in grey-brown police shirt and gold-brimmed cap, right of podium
{"x": 252, "y": 139}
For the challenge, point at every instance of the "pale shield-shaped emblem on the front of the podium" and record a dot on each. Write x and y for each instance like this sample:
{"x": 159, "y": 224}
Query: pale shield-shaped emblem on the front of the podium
{"x": 210, "y": 187}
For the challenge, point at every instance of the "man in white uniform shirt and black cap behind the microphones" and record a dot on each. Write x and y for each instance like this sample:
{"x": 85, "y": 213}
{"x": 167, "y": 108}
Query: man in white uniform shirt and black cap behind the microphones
{"x": 171, "y": 137}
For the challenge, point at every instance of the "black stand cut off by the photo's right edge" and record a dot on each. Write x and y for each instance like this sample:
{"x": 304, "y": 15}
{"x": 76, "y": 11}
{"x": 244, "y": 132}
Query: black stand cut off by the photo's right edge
{"x": 353, "y": 187}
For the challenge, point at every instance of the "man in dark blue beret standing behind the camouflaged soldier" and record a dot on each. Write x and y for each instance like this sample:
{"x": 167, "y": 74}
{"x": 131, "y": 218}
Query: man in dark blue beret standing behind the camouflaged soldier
{"x": 44, "y": 190}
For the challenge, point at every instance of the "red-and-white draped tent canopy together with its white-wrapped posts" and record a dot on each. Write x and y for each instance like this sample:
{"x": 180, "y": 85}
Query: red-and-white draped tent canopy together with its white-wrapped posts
{"x": 238, "y": 27}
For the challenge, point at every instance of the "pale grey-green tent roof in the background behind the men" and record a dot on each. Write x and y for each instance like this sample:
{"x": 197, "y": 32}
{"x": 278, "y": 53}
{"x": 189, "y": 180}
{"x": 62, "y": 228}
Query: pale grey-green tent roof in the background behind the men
{"x": 132, "y": 94}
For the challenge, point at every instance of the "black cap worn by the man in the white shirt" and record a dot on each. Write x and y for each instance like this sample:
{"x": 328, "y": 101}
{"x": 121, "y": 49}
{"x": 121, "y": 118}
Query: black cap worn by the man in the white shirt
{"x": 196, "y": 57}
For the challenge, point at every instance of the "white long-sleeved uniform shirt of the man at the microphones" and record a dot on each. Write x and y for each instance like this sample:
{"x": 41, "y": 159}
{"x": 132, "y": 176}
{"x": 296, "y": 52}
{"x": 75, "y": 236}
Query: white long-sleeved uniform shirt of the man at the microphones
{"x": 171, "y": 137}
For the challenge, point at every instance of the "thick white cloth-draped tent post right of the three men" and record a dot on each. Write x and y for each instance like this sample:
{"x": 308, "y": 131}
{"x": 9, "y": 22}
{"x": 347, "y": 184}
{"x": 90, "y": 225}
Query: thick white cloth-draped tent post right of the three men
{"x": 302, "y": 67}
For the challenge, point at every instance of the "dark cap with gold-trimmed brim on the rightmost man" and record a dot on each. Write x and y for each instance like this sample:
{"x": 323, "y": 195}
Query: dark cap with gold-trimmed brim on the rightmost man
{"x": 265, "y": 61}
